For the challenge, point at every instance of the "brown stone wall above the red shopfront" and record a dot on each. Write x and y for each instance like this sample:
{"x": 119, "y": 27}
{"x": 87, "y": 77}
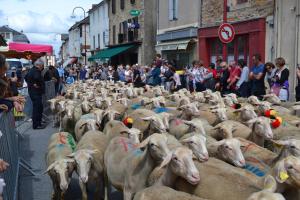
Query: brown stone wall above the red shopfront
{"x": 212, "y": 11}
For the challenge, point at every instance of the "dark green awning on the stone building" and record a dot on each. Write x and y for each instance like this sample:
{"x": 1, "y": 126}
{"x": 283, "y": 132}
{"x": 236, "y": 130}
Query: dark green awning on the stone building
{"x": 110, "y": 52}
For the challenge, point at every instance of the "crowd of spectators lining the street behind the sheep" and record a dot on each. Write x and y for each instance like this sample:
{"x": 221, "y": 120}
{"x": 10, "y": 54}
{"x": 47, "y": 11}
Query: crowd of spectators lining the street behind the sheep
{"x": 232, "y": 77}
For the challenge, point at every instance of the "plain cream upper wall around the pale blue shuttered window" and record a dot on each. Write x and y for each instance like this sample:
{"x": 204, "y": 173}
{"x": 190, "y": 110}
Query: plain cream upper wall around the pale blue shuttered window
{"x": 188, "y": 15}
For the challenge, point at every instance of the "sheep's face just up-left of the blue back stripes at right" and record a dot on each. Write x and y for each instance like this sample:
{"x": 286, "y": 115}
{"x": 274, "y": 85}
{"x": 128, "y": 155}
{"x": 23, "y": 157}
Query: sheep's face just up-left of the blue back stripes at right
{"x": 230, "y": 150}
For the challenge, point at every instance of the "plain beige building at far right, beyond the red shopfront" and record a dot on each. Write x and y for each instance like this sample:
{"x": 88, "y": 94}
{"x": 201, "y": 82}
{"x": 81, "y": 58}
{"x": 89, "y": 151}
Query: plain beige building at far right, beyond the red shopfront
{"x": 287, "y": 37}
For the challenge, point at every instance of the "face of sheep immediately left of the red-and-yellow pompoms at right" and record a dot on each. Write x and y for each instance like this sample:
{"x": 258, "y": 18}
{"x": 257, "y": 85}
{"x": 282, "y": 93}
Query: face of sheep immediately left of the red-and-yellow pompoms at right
{"x": 261, "y": 127}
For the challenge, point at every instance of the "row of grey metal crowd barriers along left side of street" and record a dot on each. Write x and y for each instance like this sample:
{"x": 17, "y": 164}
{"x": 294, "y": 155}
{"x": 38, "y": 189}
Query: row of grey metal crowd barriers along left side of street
{"x": 9, "y": 142}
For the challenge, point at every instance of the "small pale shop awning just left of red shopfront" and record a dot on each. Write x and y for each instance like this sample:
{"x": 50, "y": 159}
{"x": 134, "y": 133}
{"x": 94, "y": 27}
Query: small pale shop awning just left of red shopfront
{"x": 175, "y": 45}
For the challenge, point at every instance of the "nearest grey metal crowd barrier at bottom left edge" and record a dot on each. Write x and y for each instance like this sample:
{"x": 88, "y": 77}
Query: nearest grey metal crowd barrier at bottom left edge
{"x": 9, "y": 152}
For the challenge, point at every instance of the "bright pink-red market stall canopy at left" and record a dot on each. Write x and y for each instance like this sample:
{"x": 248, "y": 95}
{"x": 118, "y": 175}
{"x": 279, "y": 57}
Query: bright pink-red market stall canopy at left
{"x": 34, "y": 48}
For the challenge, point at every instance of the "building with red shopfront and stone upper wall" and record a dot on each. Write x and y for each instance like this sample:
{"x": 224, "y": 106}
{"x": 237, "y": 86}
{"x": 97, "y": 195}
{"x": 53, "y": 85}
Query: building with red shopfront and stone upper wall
{"x": 254, "y": 27}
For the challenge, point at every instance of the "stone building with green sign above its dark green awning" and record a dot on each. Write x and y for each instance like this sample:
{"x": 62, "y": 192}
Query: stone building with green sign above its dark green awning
{"x": 132, "y": 26}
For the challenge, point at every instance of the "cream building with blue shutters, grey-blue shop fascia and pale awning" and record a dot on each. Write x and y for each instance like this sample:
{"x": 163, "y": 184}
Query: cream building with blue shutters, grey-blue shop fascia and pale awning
{"x": 177, "y": 26}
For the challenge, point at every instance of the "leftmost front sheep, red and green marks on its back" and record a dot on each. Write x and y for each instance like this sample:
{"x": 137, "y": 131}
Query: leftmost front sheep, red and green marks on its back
{"x": 60, "y": 167}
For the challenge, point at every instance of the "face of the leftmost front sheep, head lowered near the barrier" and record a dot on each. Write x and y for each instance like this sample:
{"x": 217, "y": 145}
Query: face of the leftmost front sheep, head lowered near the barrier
{"x": 62, "y": 170}
